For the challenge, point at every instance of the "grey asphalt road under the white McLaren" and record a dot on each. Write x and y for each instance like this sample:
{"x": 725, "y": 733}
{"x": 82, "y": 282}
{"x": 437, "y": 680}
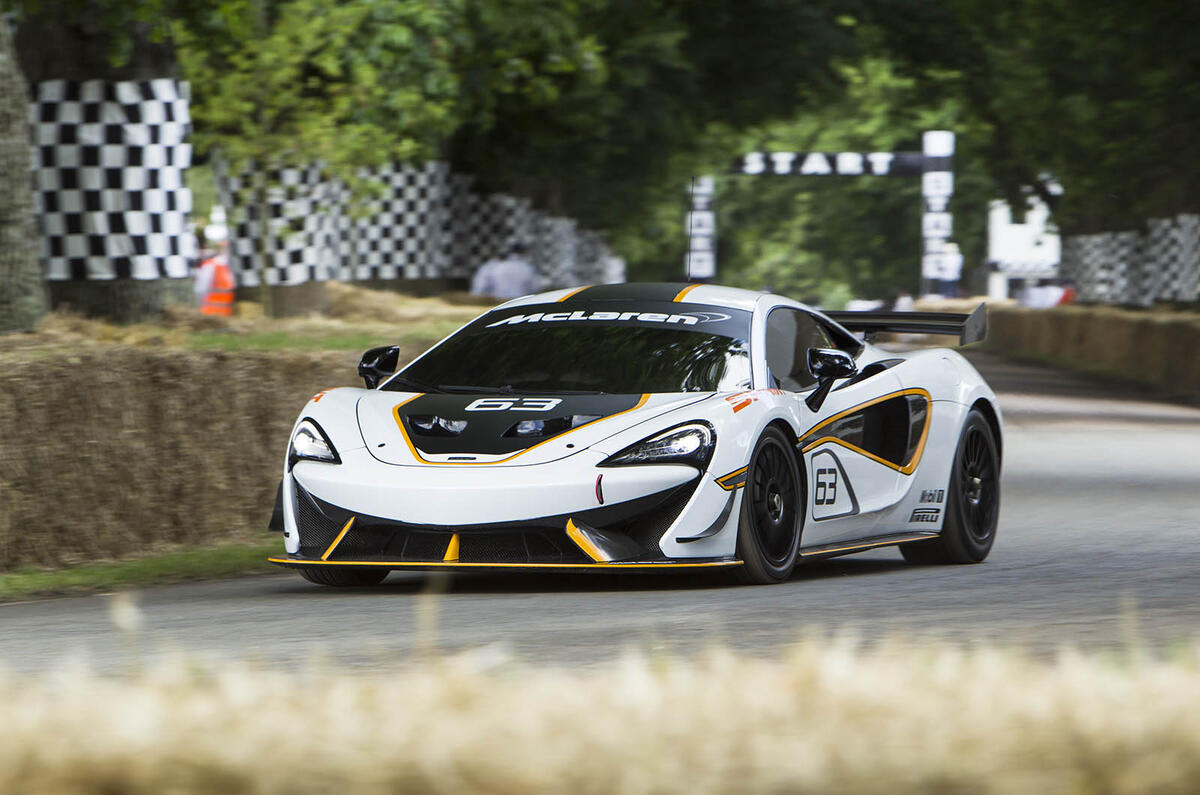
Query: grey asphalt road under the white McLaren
{"x": 1099, "y": 546}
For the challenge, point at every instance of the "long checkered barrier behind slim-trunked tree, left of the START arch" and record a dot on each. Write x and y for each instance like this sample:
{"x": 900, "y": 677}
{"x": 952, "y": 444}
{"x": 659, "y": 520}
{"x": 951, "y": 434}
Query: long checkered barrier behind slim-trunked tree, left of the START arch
{"x": 419, "y": 223}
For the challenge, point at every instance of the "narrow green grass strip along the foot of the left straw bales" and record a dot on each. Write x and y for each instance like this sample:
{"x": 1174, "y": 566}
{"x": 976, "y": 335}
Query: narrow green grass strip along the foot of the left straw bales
{"x": 227, "y": 560}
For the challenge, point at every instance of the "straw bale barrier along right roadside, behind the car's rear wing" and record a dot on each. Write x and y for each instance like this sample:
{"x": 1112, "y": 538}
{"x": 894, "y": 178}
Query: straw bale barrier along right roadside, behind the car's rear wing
{"x": 1159, "y": 349}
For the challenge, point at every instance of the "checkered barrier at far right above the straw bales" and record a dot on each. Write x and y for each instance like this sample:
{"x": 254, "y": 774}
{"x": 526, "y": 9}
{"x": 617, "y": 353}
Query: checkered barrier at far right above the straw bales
{"x": 1137, "y": 268}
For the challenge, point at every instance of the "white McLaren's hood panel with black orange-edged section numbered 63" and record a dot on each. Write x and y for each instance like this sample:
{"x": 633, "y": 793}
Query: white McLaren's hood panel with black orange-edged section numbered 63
{"x": 501, "y": 429}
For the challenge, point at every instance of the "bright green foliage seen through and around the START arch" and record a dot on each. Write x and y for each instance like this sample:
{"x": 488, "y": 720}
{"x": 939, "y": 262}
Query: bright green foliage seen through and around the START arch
{"x": 826, "y": 240}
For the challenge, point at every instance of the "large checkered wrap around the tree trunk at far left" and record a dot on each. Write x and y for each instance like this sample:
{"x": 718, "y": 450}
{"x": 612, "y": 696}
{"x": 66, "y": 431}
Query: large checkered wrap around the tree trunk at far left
{"x": 109, "y": 180}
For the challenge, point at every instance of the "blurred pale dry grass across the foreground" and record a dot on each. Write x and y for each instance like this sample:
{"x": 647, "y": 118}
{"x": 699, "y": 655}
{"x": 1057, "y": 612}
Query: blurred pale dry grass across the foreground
{"x": 827, "y": 718}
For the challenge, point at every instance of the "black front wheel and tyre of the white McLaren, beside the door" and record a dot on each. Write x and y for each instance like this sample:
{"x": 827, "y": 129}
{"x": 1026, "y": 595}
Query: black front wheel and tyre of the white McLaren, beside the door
{"x": 772, "y": 512}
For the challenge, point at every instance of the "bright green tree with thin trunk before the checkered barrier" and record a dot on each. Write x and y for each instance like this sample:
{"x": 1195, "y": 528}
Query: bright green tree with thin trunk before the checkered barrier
{"x": 345, "y": 83}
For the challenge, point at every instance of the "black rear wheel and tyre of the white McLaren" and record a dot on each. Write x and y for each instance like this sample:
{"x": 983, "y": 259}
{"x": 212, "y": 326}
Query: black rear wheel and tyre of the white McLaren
{"x": 973, "y": 506}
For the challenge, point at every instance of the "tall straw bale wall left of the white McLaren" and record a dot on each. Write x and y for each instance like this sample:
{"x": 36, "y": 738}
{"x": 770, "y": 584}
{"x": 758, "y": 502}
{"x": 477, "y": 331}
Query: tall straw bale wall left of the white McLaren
{"x": 112, "y": 451}
